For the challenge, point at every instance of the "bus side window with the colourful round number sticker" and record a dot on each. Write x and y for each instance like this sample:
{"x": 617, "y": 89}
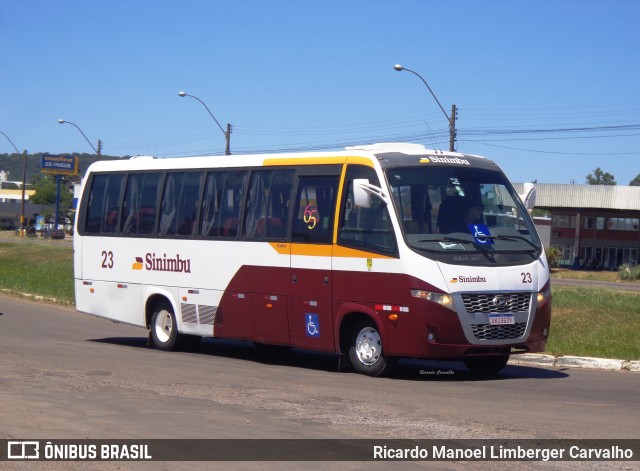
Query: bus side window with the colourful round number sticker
{"x": 314, "y": 209}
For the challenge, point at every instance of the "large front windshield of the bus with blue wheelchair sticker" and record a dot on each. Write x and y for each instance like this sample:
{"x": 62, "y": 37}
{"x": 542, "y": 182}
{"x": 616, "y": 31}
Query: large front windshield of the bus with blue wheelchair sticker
{"x": 450, "y": 213}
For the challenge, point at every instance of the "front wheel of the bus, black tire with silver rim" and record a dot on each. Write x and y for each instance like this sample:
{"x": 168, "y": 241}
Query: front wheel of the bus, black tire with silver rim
{"x": 366, "y": 352}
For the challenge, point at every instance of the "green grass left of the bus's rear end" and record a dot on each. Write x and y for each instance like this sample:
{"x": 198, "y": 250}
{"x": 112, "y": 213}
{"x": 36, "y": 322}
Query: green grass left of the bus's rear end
{"x": 37, "y": 267}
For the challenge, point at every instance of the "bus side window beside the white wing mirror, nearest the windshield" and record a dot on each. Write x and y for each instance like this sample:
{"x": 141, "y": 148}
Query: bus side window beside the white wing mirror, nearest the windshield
{"x": 365, "y": 228}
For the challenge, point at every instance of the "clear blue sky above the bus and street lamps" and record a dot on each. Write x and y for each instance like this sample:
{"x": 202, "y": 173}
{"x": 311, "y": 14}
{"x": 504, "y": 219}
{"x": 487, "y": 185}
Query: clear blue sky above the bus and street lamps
{"x": 550, "y": 90}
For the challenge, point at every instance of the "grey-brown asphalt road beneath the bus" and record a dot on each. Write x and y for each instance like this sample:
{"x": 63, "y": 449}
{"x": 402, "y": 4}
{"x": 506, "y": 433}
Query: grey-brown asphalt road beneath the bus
{"x": 68, "y": 375}
